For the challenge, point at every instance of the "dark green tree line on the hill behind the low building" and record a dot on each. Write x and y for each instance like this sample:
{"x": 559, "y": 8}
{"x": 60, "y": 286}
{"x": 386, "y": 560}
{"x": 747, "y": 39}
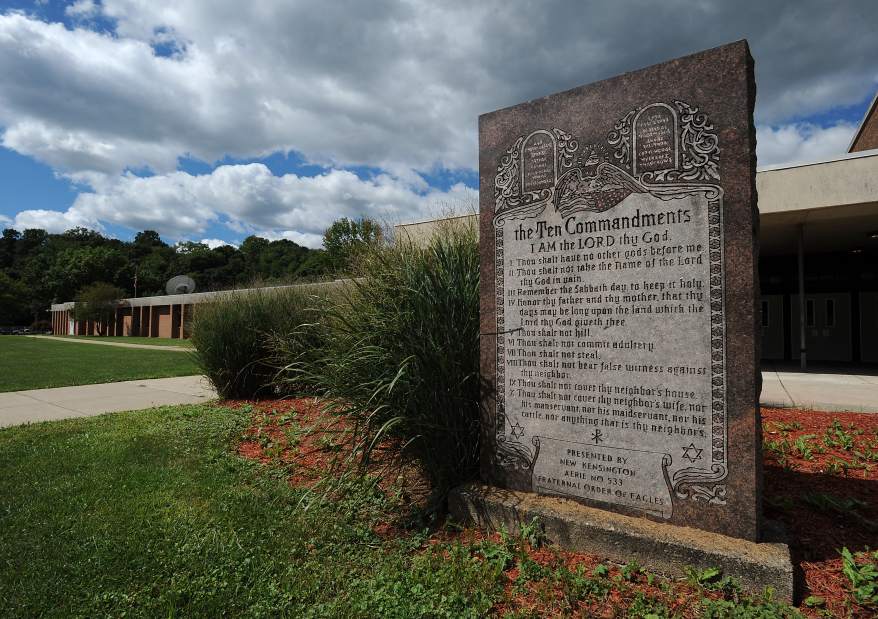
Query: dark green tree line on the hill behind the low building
{"x": 38, "y": 268}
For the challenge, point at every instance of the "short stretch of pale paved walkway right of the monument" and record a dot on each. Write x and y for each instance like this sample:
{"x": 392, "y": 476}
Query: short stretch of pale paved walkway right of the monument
{"x": 826, "y": 392}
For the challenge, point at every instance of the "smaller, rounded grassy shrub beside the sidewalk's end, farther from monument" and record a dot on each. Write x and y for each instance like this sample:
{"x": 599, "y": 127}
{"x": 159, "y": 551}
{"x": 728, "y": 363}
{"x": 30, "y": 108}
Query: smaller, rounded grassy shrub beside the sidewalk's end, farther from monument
{"x": 237, "y": 336}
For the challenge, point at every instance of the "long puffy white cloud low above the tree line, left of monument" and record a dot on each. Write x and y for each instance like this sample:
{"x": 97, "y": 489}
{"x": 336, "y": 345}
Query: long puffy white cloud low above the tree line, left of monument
{"x": 250, "y": 200}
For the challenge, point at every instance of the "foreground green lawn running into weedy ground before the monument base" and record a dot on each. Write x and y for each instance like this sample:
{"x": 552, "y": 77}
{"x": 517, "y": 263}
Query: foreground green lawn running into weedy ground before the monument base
{"x": 152, "y": 513}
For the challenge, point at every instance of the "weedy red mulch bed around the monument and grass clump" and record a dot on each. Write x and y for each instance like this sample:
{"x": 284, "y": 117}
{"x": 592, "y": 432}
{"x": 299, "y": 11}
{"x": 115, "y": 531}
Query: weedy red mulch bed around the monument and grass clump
{"x": 821, "y": 480}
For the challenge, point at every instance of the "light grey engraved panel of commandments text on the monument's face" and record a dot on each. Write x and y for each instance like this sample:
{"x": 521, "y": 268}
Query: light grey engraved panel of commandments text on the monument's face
{"x": 608, "y": 346}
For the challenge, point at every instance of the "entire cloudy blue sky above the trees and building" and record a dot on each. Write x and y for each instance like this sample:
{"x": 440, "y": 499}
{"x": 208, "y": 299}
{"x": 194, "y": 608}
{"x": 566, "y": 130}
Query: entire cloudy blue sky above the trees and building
{"x": 211, "y": 119}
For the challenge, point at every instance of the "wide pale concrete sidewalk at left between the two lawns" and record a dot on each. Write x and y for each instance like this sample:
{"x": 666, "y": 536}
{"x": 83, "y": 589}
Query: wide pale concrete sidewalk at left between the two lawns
{"x": 17, "y": 407}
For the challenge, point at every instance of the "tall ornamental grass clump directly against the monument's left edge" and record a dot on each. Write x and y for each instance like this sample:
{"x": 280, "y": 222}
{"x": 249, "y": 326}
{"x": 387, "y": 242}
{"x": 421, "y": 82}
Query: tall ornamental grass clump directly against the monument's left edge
{"x": 401, "y": 358}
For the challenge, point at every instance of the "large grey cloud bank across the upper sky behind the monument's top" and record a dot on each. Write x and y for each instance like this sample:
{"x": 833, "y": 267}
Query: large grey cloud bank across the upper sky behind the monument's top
{"x": 386, "y": 84}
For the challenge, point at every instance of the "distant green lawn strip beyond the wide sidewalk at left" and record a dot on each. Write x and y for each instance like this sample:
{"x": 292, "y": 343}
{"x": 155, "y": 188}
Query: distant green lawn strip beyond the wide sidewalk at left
{"x": 32, "y": 363}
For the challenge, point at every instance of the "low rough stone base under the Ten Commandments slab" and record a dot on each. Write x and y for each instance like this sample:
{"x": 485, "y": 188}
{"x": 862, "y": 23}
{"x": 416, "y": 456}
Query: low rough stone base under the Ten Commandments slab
{"x": 662, "y": 548}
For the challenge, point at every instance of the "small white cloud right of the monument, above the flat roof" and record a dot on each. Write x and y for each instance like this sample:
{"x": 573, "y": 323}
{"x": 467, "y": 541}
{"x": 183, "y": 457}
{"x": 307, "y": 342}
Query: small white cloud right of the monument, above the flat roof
{"x": 801, "y": 142}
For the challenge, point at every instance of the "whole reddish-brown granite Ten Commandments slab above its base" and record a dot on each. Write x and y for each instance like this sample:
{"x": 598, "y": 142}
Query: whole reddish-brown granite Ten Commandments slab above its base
{"x": 619, "y": 294}
